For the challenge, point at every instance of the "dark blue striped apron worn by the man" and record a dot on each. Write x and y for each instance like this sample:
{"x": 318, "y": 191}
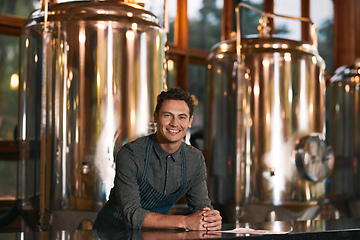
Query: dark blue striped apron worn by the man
{"x": 110, "y": 217}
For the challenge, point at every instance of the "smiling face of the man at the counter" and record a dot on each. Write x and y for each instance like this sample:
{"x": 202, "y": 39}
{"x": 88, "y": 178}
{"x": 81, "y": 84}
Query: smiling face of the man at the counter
{"x": 173, "y": 121}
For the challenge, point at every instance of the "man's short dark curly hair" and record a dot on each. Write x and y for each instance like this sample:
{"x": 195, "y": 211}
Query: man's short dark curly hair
{"x": 175, "y": 94}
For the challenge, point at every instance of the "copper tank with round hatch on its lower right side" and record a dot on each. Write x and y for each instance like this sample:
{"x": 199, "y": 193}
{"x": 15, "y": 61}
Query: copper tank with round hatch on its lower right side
{"x": 266, "y": 128}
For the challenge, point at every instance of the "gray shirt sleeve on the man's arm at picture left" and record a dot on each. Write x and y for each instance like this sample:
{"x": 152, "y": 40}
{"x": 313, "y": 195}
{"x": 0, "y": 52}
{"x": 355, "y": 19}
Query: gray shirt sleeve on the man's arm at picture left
{"x": 127, "y": 188}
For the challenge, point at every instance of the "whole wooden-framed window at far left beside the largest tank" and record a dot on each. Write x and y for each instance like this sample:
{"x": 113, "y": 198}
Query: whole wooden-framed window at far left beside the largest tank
{"x": 10, "y": 27}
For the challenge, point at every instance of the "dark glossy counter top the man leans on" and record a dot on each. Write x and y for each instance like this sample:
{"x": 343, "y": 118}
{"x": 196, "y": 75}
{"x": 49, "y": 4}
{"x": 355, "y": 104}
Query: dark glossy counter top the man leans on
{"x": 312, "y": 229}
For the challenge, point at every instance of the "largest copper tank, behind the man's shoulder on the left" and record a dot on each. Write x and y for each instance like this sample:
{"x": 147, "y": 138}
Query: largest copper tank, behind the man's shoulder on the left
{"x": 91, "y": 72}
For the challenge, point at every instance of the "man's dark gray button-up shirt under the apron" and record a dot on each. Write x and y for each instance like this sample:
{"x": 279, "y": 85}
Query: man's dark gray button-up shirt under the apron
{"x": 164, "y": 174}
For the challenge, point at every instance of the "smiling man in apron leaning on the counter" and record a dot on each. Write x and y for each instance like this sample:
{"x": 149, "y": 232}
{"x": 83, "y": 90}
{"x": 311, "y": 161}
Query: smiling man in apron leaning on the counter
{"x": 154, "y": 172}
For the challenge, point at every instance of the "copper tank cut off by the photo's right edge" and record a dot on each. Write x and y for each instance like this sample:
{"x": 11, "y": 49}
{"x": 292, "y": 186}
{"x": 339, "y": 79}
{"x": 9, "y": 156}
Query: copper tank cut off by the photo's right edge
{"x": 343, "y": 131}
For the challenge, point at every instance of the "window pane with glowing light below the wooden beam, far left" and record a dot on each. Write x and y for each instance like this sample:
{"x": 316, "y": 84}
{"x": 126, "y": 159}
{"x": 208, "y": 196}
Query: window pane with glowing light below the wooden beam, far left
{"x": 9, "y": 57}
